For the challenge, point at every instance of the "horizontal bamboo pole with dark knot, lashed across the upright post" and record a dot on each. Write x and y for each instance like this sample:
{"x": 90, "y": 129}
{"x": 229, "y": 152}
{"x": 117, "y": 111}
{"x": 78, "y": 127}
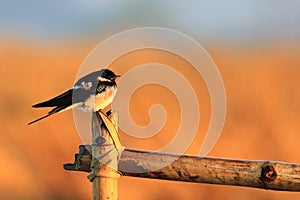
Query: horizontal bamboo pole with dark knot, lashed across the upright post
{"x": 258, "y": 174}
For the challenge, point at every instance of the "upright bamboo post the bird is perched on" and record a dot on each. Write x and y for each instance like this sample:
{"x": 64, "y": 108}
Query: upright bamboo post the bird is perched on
{"x": 104, "y": 174}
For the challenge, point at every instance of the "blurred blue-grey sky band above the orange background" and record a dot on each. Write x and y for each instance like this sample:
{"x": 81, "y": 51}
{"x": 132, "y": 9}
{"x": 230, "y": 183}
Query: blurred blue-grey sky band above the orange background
{"x": 231, "y": 20}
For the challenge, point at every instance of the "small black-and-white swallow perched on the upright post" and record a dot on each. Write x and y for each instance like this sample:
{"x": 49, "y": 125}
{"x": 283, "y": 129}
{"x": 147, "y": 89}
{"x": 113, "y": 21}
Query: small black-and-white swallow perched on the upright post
{"x": 92, "y": 92}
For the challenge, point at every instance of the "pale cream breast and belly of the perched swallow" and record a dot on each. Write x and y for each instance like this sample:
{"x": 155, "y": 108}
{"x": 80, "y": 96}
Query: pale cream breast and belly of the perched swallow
{"x": 99, "y": 101}
